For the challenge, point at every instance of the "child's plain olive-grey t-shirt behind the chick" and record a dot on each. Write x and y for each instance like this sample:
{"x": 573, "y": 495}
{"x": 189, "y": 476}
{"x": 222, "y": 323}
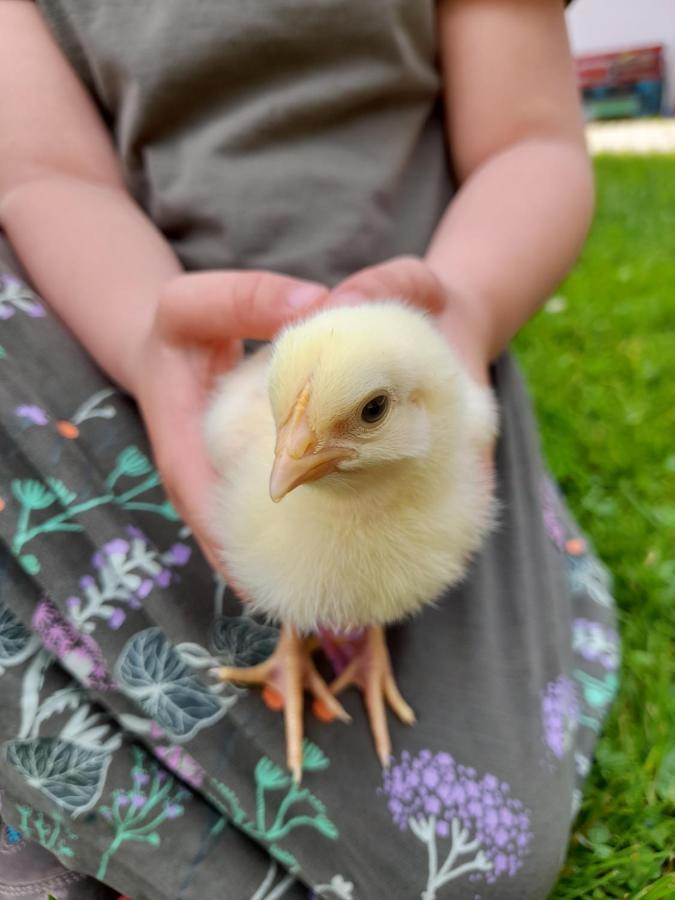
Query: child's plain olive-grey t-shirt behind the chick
{"x": 303, "y": 137}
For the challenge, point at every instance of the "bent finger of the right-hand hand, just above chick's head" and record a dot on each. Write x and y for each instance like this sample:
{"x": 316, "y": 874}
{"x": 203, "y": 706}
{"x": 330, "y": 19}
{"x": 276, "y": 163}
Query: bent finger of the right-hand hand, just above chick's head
{"x": 402, "y": 278}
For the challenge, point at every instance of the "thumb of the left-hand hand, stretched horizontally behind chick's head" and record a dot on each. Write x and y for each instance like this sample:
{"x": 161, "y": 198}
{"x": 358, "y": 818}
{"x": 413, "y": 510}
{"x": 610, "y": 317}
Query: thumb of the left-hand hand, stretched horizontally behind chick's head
{"x": 204, "y": 307}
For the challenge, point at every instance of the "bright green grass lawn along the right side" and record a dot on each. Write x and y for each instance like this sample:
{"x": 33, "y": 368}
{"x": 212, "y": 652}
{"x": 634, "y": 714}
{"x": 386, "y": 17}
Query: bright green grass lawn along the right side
{"x": 602, "y": 371}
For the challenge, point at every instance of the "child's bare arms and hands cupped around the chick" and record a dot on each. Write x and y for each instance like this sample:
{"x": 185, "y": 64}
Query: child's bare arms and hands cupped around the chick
{"x": 509, "y": 236}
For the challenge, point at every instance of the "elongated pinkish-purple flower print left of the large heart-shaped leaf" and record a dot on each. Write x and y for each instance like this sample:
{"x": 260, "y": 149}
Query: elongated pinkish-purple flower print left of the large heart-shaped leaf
{"x": 79, "y": 652}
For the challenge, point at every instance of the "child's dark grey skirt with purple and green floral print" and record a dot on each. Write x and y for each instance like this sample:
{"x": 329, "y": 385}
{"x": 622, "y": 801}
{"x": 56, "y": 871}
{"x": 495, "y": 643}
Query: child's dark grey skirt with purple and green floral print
{"x": 121, "y": 756}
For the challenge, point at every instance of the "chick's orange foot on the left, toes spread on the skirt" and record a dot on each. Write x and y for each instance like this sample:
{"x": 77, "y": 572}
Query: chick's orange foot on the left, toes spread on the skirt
{"x": 287, "y": 673}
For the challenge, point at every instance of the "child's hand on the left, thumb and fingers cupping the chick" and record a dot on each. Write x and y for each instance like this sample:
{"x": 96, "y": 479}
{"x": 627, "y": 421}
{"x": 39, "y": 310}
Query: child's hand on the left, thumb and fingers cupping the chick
{"x": 197, "y": 331}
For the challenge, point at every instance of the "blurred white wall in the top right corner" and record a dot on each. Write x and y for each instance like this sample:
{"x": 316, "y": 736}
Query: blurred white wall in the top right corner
{"x": 598, "y": 25}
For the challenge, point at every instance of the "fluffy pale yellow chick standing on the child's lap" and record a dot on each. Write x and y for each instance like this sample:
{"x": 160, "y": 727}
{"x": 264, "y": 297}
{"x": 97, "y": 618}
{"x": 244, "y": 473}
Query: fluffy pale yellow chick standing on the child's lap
{"x": 362, "y": 421}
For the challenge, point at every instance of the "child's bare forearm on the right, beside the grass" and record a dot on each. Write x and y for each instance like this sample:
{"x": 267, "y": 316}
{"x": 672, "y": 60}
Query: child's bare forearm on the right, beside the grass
{"x": 512, "y": 232}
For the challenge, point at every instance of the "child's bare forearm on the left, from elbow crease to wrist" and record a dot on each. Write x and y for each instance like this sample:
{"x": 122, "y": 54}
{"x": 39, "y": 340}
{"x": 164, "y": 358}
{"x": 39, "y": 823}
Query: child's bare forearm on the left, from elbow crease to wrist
{"x": 94, "y": 257}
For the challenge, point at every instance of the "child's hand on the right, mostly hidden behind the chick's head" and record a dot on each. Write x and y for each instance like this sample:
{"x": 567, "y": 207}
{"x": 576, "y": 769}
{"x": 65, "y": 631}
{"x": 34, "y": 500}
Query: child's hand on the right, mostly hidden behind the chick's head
{"x": 412, "y": 279}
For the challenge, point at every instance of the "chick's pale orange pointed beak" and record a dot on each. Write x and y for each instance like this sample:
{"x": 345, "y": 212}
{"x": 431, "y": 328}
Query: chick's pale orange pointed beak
{"x": 297, "y": 458}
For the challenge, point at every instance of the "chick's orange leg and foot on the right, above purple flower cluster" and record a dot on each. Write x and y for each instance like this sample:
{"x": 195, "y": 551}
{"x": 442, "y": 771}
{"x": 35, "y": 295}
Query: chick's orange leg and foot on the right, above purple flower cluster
{"x": 371, "y": 671}
